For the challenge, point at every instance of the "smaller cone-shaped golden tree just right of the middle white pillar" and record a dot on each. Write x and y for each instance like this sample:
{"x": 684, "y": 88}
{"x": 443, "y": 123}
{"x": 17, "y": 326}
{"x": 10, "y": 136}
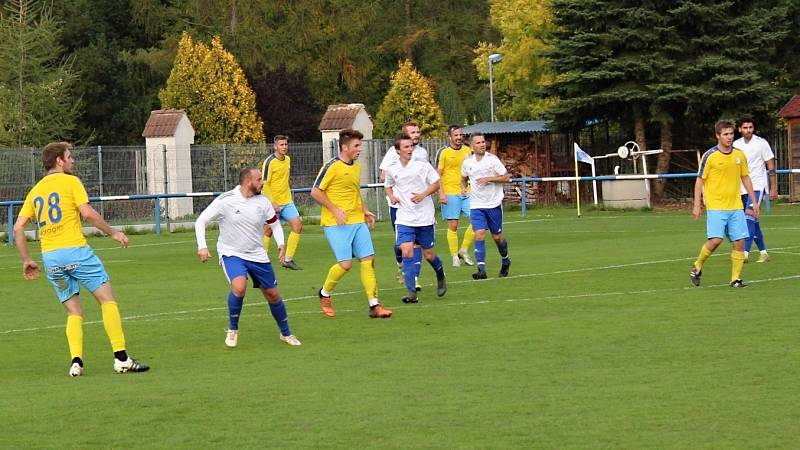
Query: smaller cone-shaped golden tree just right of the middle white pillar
{"x": 410, "y": 98}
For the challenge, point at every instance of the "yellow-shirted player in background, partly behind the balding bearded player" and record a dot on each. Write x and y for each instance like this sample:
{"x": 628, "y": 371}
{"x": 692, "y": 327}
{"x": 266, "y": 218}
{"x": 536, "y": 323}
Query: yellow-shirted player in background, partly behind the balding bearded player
{"x": 275, "y": 172}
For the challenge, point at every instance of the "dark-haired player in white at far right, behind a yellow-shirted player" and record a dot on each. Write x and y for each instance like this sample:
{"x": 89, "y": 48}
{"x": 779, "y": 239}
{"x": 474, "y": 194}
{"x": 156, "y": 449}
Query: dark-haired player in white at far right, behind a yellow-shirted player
{"x": 760, "y": 161}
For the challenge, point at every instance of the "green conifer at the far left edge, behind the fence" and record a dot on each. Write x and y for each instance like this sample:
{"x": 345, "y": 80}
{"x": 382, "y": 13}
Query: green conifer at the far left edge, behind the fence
{"x": 37, "y": 102}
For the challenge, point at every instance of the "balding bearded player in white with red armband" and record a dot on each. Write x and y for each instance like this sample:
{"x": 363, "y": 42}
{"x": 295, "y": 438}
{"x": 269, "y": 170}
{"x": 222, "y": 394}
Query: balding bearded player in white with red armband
{"x": 243, "y": 213}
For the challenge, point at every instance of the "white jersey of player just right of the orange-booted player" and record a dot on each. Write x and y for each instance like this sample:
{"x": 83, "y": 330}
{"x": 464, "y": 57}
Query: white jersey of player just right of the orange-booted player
{"x": 416, "y": 177}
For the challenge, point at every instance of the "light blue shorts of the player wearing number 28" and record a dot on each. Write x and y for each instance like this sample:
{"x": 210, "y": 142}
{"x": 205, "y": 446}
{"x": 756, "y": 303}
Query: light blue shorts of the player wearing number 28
{"x": 68, "y": 268}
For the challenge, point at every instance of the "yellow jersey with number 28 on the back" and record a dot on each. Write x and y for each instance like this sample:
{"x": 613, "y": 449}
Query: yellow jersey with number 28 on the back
{"x": 53, "y": 205}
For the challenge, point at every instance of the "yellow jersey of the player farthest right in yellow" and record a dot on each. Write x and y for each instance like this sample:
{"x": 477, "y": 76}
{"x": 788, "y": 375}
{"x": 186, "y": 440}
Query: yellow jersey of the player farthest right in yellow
{"x": 722, "y": 174}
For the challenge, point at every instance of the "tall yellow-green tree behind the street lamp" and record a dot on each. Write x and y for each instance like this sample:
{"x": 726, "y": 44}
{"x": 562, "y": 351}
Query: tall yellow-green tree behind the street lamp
{"x": 524, "y": 26}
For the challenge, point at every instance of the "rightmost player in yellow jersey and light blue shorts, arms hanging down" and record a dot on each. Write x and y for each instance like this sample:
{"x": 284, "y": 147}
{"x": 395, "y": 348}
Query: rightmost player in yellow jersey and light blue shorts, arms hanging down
{"x": 722, "y": 169}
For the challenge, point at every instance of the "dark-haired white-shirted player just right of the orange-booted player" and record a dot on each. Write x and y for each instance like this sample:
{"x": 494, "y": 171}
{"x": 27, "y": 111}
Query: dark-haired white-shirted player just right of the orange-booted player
{"x": 409, "y": 186}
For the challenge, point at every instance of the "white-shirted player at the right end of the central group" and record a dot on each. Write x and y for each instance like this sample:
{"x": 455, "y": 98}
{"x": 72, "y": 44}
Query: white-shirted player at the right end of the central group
{"x": 486, "y": 174}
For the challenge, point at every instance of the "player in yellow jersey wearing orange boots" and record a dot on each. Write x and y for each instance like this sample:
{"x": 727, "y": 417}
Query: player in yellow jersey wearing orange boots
{"x": 346, "y": 221}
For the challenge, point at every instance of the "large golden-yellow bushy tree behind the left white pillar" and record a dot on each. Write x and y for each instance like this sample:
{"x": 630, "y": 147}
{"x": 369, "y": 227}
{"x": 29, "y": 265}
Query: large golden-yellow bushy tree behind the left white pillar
{"x": 209, "y": 85}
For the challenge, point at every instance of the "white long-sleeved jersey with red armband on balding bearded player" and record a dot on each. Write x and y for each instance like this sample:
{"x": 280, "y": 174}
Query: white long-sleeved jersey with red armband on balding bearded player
{"x": 241, "y": 225}
